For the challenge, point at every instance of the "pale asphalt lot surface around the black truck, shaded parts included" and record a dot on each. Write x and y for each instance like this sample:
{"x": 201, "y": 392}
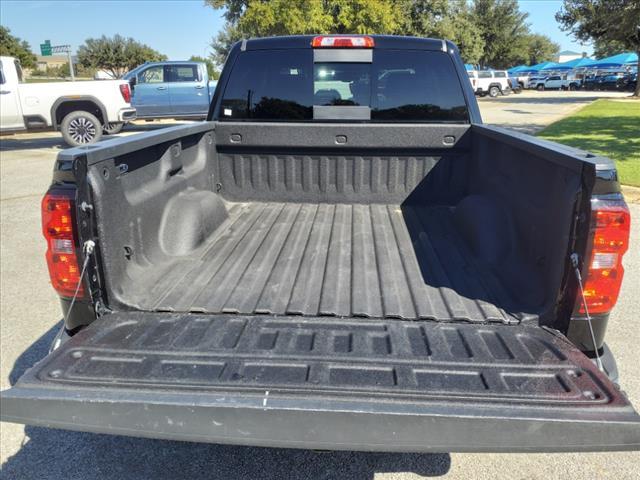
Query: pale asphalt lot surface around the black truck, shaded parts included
{"x": 29, "y": 314}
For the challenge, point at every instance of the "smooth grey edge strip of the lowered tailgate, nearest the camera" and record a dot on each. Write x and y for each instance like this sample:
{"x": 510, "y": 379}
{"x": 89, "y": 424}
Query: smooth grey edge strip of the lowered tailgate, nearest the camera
{"x": 274, "y": 420}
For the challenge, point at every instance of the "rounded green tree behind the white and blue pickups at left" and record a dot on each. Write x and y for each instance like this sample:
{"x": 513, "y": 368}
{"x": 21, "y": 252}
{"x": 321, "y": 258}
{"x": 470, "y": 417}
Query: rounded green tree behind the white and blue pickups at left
{"x": 116, "y": 55}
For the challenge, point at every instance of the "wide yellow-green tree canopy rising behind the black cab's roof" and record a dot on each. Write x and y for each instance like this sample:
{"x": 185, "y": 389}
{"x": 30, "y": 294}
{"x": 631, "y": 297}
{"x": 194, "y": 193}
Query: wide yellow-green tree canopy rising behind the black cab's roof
{"x": 490, "y": 32}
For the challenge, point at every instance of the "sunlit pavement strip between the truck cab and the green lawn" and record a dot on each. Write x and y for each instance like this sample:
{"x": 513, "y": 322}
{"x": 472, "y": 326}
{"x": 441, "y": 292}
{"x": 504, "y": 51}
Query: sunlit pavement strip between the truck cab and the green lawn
{"x": 531, "y": 111}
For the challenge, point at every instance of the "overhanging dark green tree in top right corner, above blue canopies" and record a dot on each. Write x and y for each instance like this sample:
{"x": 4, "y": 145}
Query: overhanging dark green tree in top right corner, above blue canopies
{"x": 604, "y": 21}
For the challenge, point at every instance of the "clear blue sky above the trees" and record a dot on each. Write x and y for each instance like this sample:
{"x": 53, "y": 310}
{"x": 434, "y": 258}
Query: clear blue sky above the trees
{"x": 178, "y": 29}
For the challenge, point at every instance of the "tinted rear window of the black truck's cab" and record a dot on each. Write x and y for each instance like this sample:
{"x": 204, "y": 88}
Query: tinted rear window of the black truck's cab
{"x": 398, "y": 86}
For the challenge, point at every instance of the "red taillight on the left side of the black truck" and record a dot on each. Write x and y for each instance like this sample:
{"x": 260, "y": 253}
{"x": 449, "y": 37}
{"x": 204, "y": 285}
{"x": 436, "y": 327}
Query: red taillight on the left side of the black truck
{"x": 57, "y": 227}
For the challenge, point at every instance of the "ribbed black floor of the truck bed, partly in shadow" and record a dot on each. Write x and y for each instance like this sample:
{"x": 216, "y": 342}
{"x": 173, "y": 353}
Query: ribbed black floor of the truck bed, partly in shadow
{"x": 340, "y": 260}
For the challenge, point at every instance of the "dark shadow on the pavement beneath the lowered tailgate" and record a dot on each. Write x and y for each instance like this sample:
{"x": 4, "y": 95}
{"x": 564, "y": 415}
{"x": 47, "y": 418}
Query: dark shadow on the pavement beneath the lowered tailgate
{"x": 54, "y": 454}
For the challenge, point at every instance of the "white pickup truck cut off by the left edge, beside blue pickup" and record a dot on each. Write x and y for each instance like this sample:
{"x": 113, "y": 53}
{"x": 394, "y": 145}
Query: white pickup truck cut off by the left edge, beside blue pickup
{"x": 80, "y": 110}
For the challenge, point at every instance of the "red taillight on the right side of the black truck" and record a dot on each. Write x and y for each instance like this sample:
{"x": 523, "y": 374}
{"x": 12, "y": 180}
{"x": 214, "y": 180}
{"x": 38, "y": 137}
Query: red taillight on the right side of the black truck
{"x": 611, "y": 222}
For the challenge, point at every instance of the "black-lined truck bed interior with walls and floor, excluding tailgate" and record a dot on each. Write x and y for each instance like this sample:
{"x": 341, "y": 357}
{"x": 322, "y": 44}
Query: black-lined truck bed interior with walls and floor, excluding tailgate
{"x": 414, "y": 233}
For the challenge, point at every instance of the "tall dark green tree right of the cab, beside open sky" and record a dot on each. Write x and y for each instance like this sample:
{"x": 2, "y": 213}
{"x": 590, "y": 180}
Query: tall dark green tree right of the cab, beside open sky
{"x": 504, "y": 31}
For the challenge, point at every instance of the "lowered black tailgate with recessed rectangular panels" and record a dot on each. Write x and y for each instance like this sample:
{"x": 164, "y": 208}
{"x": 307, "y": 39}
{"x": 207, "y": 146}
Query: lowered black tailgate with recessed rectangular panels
{"x": 328, "y": 384}
